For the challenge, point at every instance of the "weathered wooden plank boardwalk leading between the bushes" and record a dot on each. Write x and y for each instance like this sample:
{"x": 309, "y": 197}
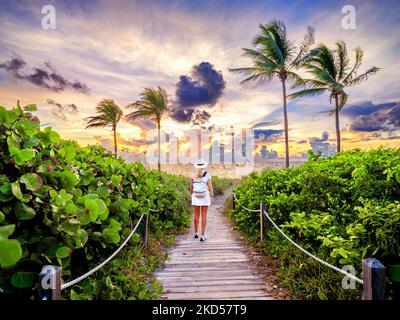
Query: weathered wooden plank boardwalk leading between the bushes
{"x": 215, "y": 269}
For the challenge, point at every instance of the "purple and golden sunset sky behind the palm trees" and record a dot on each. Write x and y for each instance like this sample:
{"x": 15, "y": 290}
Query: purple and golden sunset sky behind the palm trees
{"x": 113, "y": 49}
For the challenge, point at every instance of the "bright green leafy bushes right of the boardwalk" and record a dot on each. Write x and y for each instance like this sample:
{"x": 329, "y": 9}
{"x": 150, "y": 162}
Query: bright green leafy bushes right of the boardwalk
{"x": 343, "y": 209}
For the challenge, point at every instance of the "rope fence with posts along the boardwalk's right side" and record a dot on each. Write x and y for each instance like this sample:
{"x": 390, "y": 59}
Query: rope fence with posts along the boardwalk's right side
{"x": 373, "y": 271}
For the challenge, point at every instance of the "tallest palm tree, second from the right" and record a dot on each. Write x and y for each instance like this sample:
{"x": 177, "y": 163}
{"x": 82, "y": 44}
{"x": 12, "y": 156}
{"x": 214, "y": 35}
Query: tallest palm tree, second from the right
{"x": 274, "y": 55}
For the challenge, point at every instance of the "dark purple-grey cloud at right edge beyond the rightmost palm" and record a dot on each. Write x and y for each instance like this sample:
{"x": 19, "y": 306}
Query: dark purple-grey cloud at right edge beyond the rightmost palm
{"x": 385, "y": 119}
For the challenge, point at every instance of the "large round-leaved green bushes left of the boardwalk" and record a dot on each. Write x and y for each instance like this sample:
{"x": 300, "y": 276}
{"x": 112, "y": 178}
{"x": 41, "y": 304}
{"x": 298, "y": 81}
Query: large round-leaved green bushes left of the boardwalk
{"x": 71, "y": 206}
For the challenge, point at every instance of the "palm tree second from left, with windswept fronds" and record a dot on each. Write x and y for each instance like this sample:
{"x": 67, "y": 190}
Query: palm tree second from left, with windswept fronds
{"x": 152, "y": 104}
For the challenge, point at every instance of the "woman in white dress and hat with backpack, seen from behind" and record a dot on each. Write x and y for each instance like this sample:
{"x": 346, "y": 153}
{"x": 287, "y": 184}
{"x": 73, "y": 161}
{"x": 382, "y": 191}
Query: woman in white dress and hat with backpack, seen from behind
{"x": 201, "y": 191}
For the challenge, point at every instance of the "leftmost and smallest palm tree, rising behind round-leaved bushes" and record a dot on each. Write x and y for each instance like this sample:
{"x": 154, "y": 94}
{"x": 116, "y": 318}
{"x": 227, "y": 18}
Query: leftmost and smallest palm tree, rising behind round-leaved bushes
{"x": 108, "y": 114}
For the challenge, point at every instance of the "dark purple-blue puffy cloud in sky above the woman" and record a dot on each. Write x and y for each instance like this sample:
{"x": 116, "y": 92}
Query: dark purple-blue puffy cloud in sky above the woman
{"x": 203, "y": 87}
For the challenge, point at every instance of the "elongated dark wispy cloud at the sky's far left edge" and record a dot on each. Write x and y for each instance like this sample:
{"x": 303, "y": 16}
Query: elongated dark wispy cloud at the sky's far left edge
{"x": 46, "y": 77}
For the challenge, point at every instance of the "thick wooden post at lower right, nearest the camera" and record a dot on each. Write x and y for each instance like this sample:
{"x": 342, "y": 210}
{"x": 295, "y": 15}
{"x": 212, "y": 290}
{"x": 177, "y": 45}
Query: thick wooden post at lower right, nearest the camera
{"x": 374, "y": 276}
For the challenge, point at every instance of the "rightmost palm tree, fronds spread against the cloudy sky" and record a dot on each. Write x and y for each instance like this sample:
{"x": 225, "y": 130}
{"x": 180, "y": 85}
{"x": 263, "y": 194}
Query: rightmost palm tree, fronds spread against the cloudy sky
{"x": 332, "y": 73}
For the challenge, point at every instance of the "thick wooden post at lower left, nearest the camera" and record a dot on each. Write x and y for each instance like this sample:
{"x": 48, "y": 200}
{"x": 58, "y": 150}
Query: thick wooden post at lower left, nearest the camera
{"x": 49, "y": 283}
